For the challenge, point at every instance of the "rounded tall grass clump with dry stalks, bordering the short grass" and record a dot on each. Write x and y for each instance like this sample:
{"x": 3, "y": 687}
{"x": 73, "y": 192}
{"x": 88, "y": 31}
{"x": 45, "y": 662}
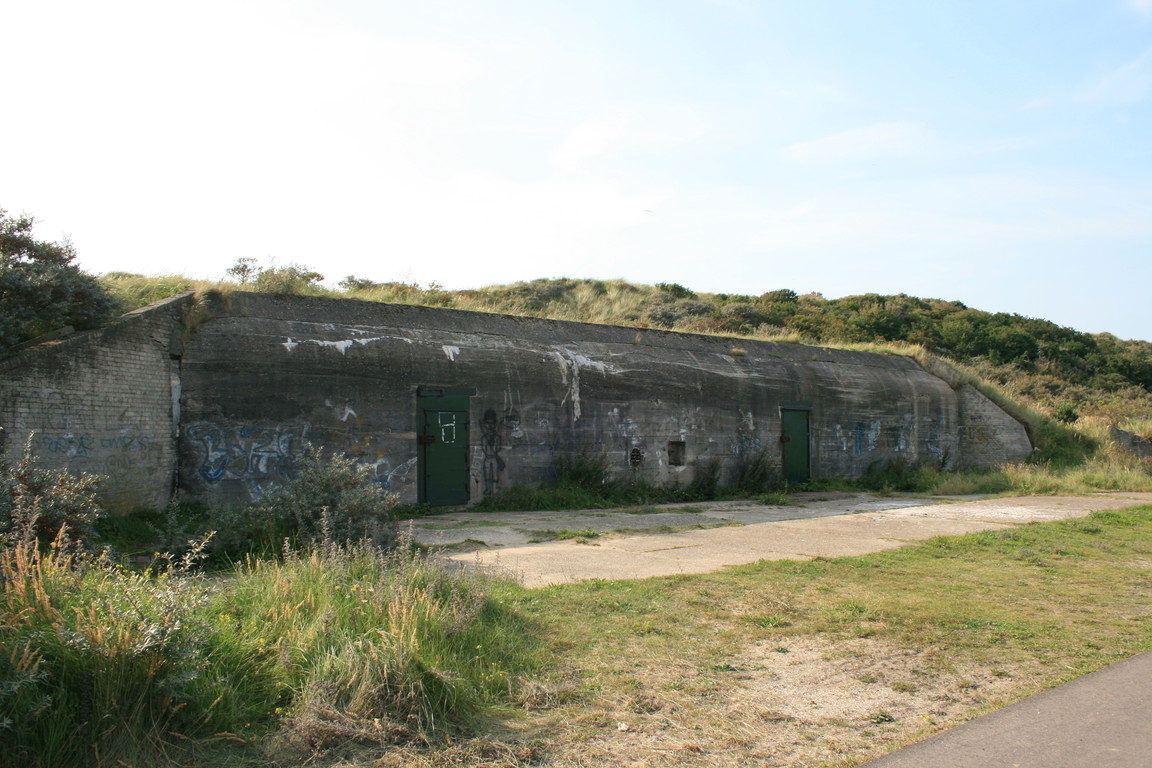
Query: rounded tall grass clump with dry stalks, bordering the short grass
{"x": 376, "y": 647}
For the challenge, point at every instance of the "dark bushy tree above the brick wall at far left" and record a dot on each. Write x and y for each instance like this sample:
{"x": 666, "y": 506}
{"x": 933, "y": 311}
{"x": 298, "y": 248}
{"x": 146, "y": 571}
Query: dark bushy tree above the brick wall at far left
{"x": 41, "y": 288}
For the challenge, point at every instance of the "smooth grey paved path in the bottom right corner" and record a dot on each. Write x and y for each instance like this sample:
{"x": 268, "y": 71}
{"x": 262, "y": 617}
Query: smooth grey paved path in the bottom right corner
{"x": 1098, "y": 721}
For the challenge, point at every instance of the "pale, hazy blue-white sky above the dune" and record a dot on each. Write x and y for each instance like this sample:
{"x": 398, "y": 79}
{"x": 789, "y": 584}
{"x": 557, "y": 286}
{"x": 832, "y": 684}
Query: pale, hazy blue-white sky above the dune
{"x": 996, "y": 153}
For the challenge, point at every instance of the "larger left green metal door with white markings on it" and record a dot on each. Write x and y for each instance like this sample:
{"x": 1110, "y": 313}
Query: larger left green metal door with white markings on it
{"x": 444, "y": 448}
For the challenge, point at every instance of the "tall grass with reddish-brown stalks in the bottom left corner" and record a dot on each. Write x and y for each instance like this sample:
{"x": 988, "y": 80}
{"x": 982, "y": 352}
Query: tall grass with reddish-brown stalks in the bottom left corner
{"x": 98, "y": 664}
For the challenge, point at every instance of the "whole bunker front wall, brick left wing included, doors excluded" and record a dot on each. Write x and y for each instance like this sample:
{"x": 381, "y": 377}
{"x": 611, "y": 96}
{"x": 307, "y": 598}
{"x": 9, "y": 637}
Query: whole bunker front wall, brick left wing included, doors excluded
{"x": 223, "y": 394}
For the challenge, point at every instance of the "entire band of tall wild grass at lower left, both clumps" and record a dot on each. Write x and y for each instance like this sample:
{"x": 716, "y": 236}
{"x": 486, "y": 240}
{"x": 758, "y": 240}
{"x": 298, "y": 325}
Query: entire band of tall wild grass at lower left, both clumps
{"x": 345, "y": 645}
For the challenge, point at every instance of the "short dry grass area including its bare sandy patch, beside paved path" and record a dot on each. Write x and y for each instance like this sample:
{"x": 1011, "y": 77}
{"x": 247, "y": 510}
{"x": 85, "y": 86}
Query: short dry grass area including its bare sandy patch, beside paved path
{"x": 820, "y": 664}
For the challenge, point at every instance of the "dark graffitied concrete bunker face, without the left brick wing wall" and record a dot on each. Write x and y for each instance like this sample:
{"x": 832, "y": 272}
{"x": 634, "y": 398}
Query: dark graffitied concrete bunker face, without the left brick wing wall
{"x": 272, "y": 374}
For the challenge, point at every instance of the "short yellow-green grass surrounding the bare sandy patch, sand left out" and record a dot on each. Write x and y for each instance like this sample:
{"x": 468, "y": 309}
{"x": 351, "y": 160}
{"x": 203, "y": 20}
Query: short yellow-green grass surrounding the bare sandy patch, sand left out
{"x": 1030, "y": 606}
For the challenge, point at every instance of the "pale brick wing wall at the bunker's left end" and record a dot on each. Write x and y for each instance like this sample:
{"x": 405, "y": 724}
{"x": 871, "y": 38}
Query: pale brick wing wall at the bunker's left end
{"x": 102, "y": 402}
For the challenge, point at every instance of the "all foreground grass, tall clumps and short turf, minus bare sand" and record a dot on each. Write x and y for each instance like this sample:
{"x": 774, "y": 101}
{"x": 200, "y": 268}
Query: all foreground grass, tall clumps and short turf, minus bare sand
{"x": 393, "y": 658}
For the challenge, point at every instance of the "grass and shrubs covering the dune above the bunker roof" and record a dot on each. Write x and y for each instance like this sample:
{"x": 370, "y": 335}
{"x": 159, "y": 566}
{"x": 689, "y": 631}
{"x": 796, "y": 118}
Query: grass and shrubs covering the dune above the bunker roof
{"x": 1065, "y": 374}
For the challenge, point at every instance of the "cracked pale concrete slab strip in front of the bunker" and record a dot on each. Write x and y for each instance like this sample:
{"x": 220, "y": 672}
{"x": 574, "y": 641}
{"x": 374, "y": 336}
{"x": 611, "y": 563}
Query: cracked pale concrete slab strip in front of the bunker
{"x": 853, "y": 524}
